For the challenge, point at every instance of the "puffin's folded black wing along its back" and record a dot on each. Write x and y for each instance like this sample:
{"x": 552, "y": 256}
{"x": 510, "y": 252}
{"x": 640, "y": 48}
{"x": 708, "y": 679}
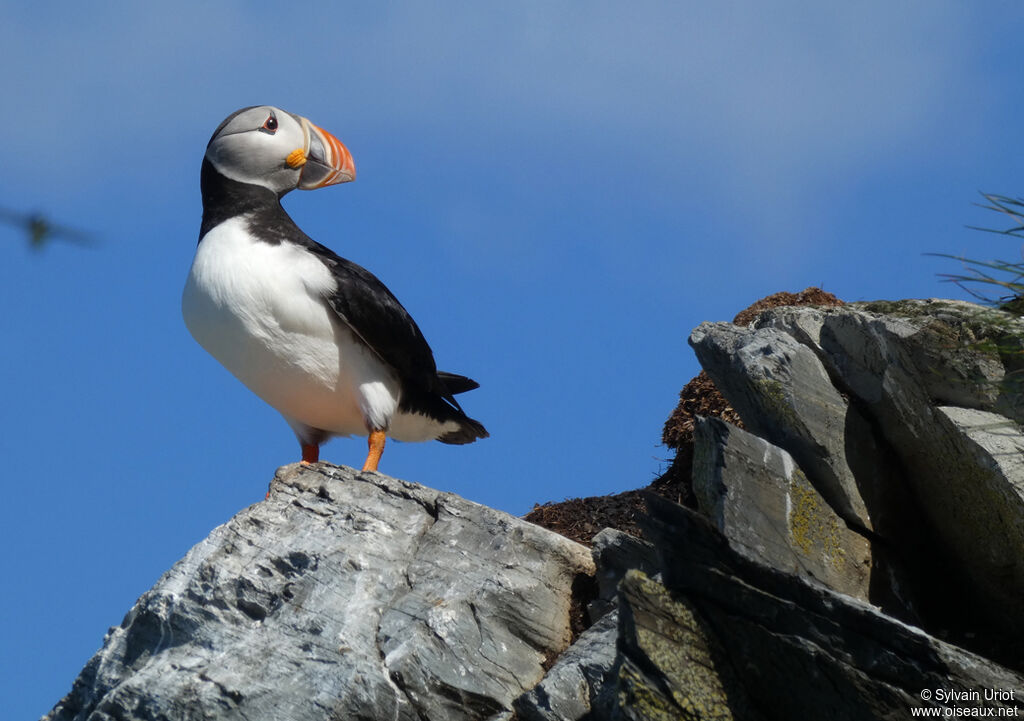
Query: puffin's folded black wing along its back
{"x": 377, "y": 319}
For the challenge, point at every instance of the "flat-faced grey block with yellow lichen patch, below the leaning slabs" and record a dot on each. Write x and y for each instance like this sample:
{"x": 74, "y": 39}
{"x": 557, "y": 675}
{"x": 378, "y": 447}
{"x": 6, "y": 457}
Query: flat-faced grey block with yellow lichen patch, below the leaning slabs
{"x": 756, "y": 496}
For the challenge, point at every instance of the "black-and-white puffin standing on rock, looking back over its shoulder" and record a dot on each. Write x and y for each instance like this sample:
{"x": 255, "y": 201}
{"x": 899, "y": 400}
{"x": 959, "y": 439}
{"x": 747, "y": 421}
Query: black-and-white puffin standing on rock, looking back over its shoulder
{"x": 318, "y": 337}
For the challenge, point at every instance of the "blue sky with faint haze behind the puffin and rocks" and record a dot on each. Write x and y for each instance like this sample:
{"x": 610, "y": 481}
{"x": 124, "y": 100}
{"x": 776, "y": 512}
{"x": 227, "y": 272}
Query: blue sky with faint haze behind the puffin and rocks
{"x": 558, "y": 192}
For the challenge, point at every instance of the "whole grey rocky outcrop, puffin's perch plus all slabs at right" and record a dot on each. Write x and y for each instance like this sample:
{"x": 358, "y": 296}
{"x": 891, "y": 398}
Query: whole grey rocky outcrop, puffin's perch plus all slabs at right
{"x": 857, "y": 554}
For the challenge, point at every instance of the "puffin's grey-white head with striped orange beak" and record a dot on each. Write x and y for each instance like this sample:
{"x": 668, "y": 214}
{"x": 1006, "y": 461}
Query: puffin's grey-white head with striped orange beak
{"x": 269, "y": 147}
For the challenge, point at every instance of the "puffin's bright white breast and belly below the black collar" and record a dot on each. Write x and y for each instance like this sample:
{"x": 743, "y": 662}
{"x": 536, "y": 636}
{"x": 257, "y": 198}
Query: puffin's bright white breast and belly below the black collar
{"x": 260, "y": 309}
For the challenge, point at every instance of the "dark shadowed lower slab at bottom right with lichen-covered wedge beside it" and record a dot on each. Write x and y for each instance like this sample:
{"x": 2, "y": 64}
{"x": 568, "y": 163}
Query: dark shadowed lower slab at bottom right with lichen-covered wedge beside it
{"x": 719, "y": 637}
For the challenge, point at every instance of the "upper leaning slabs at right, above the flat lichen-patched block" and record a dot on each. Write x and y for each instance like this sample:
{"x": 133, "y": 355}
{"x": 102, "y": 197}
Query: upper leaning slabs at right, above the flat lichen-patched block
{"x": 872, "y": 412}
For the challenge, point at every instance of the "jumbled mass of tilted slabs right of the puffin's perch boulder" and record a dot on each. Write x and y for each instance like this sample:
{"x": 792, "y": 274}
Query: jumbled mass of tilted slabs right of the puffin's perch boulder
{"x": 825, "y": 530}
